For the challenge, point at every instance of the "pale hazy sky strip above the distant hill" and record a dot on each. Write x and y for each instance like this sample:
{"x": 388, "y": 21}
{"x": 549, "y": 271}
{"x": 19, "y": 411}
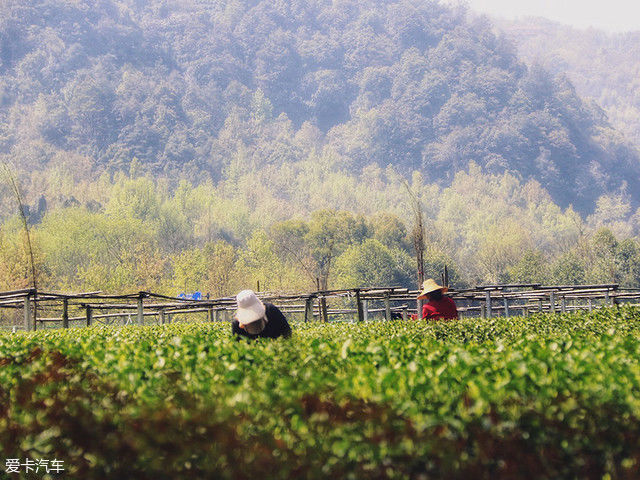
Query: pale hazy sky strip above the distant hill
{"x": 611, "y": 15}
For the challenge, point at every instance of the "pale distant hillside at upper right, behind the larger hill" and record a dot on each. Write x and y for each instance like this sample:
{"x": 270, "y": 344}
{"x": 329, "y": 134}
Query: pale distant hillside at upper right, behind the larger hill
{"x": 603, "y": 66}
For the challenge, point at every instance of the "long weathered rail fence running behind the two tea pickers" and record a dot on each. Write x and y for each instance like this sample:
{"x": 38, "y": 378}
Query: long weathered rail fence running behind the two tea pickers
{"x": 41, "y": 309}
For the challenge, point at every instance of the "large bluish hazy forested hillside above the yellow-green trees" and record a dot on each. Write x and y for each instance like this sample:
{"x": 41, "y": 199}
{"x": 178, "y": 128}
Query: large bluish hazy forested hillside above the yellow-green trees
{"x": 203, "y": 89}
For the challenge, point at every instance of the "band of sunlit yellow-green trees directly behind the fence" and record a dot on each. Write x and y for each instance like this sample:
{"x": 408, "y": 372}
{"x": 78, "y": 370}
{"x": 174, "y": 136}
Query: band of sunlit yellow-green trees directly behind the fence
{"x": 484, "y": 227}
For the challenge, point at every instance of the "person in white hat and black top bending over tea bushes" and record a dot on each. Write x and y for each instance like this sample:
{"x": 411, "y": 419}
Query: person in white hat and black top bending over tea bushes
{"x": 255, "y": 319}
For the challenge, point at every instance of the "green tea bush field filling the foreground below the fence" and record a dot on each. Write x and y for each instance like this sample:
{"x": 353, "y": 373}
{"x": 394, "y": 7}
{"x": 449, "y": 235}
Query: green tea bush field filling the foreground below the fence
{"x": 549, "y": 396}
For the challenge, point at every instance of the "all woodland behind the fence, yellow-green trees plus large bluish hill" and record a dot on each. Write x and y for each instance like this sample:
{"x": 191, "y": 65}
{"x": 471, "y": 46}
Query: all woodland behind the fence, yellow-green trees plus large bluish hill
{"x": 195, "y": 145}
